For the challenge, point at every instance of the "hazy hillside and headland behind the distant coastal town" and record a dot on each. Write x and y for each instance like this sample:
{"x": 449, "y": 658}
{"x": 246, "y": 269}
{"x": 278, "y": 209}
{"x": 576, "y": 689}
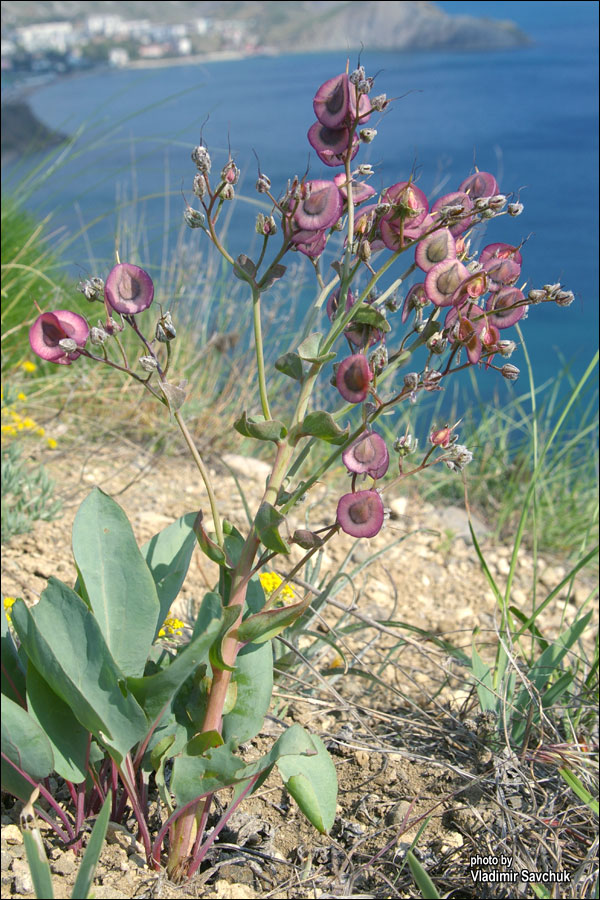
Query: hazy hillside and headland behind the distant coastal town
{"x": 303, "y": 26}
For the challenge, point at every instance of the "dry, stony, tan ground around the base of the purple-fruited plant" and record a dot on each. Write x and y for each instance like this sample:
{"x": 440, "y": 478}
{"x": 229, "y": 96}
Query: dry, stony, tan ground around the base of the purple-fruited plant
{"x": 395, "y": 708}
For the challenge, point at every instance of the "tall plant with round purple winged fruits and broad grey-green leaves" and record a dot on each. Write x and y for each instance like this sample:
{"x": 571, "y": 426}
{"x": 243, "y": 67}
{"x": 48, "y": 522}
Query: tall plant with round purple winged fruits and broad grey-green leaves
{"x": 93, "y": 694}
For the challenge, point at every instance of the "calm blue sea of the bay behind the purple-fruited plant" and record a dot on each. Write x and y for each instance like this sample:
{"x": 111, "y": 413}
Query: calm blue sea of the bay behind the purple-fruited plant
{"x": 528, "y": 115}
